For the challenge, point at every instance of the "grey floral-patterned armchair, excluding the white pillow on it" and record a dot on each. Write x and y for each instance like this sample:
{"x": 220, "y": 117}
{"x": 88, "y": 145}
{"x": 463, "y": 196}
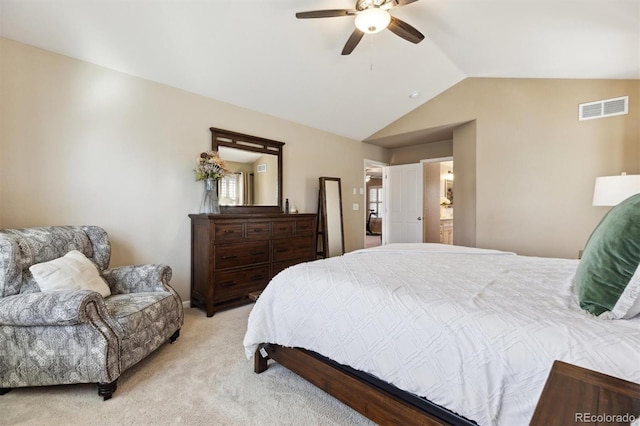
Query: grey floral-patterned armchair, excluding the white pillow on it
{"x": 78, "y": 336}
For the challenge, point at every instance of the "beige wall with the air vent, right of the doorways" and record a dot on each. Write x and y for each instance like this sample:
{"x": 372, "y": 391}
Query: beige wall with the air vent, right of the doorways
{"x": 524, "y": 165}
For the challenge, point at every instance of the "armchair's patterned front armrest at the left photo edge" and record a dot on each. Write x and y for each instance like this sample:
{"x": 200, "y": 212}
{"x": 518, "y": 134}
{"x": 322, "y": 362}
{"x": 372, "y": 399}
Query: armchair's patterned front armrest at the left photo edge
{"x": 57, "y": 308}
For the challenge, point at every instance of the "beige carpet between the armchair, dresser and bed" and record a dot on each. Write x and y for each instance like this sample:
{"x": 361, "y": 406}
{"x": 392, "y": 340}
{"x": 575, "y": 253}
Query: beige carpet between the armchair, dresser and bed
{"x": 202, "y": 379}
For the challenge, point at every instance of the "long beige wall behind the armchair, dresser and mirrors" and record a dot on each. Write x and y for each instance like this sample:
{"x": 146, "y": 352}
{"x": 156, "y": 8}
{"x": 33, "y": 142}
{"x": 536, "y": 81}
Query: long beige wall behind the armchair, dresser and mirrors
{"x": 81, "y": 144}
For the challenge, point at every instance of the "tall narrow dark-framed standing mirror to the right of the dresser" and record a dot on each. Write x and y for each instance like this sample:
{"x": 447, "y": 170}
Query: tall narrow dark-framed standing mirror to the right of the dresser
{"x": 330, "y": 206}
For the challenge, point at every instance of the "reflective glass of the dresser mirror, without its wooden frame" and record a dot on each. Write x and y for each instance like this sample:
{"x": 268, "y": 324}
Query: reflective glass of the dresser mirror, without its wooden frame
{"x": 253, "y": 180}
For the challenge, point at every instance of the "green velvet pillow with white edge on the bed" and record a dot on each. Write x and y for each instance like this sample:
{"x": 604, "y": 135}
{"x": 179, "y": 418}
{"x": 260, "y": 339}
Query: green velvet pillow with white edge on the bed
{"x": 608, "y": 278}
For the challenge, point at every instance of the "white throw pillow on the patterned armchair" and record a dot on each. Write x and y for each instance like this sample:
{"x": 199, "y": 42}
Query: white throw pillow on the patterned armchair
{"x": 73, "y": 271}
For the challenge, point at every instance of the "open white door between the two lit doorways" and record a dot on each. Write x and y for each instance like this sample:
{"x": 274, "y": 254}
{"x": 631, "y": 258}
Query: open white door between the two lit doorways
{"x": 402, "y": 188}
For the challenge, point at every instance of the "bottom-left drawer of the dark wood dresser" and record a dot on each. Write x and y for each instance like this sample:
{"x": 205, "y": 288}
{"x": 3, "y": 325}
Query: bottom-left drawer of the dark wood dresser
{"x": 234, "y": 284}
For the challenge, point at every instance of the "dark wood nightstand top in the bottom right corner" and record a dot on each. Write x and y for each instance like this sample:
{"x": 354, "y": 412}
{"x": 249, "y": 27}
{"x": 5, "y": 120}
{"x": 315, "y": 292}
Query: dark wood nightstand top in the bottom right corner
{"x": 574, "y": 395}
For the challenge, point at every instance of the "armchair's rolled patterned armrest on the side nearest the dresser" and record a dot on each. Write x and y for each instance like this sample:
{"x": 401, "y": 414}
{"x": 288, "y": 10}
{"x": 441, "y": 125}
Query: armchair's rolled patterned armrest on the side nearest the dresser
{"x": 138, "y": 278}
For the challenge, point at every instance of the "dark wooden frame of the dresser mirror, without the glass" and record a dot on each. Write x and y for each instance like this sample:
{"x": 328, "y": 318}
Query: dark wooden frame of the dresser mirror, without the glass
{"x": 220, "y": 137}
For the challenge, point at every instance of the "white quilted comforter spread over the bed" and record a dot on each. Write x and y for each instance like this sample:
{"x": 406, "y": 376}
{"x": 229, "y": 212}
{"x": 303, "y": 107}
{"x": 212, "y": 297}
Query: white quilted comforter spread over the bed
{"x": 475, "y": 331}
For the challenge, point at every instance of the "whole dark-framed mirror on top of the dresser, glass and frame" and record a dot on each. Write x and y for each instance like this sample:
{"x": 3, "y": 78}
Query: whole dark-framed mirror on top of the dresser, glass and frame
{"x": 254, "y": 183}
